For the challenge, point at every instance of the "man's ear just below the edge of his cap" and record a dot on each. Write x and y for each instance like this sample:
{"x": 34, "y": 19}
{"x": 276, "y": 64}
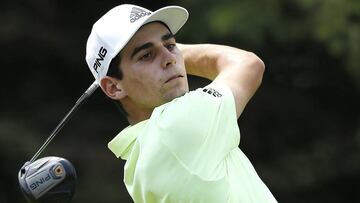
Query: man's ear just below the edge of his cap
{"x": 112, "y": 87}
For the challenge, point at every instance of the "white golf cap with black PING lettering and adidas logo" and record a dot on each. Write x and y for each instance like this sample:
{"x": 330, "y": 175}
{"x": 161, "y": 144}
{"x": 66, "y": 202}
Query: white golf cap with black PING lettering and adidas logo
{"x": 113, "y": 30}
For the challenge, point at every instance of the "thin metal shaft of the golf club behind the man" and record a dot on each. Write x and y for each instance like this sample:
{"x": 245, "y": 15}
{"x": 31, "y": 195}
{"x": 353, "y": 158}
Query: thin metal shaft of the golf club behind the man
{"x": 67, "y": 117}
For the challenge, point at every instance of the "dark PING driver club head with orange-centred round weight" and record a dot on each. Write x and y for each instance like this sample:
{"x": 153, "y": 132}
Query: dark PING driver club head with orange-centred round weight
{"x": 49, "y": 179}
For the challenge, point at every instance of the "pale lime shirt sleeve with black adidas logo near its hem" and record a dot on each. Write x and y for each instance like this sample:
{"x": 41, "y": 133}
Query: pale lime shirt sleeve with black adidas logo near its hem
{"x": 200, "y": 128}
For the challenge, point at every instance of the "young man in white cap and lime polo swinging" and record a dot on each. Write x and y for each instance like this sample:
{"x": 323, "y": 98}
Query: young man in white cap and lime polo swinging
{"x": 180, "y": 146}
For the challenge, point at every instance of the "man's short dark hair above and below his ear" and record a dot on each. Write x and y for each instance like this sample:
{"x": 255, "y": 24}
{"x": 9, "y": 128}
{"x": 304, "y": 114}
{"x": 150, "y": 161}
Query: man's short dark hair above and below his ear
{"x": 116, "y": 72}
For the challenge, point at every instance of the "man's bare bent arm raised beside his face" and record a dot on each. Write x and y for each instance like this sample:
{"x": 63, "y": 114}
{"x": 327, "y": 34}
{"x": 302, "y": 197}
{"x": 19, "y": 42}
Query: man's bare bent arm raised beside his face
{"x": 240, "y": 70}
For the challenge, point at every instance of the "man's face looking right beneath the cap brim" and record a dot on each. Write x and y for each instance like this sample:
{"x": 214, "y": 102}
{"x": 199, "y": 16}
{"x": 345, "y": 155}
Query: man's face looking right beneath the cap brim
{"x": 153, "y": 67}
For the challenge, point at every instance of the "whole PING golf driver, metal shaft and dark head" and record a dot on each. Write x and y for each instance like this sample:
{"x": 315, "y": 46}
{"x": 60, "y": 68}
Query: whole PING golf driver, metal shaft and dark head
{"x": 51, "y": 179}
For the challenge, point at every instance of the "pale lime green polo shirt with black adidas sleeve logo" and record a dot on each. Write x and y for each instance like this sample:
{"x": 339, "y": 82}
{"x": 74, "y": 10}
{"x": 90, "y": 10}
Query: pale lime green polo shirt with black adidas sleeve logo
{"x": 187, "y": 151}
